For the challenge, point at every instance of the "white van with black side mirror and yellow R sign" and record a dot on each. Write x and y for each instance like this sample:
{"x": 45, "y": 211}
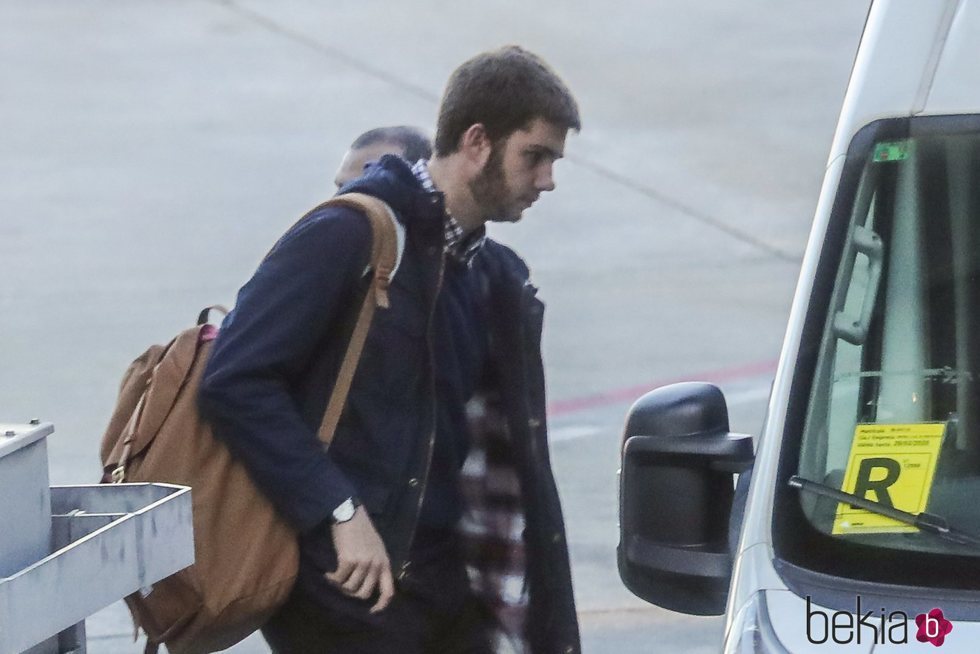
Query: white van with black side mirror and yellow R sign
{"x": 855, "y": 526}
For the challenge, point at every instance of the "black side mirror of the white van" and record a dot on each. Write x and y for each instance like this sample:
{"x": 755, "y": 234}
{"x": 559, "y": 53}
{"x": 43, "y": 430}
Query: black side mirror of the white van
{"x": 675, "y": 493}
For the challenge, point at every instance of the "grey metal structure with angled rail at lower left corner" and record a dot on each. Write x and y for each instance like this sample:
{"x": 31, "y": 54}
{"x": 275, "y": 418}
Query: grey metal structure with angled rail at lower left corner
{"x": 69, "y": 551}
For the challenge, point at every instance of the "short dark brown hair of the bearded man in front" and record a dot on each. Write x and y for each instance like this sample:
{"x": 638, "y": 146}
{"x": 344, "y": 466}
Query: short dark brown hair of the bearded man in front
{"x": 504, "y": 90}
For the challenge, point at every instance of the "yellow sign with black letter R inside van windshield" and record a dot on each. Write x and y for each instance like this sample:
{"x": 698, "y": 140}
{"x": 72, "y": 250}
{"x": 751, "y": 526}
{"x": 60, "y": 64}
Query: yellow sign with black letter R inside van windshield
{"x": 891, "y": 464}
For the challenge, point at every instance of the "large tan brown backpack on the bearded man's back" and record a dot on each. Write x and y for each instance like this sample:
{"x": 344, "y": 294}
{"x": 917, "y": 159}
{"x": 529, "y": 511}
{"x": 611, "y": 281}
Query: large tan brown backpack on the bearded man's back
{"x": 246, "y": 555}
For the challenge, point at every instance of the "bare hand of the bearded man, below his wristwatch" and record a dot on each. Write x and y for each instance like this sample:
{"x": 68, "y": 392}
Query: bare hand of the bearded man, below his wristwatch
{"x": 362, "y": 561}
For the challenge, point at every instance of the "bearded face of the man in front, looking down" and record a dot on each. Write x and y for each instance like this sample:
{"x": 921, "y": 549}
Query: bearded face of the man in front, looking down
{"x": 518, "y": 170}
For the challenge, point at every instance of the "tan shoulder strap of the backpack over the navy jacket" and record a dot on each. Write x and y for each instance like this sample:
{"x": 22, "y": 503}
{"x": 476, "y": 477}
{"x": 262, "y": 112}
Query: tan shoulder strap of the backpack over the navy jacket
{"x": 387, "y": 243}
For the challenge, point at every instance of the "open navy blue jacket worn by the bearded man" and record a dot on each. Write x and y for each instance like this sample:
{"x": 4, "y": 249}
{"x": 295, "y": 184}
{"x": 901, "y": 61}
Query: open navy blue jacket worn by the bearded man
{"x": 272, "y": 369}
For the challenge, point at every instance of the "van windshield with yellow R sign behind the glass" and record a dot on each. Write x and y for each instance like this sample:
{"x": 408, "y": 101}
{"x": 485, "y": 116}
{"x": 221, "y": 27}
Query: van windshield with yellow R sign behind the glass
{"x": 893, "y": 411}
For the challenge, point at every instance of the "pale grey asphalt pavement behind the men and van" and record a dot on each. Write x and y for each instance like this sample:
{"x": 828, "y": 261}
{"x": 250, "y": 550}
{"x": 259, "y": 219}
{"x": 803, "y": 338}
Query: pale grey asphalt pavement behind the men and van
{"x": 151, "y": 152}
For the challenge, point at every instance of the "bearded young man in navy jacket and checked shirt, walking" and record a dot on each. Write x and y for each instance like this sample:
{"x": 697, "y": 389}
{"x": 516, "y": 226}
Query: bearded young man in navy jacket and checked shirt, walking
{"x": 393, "y": 558}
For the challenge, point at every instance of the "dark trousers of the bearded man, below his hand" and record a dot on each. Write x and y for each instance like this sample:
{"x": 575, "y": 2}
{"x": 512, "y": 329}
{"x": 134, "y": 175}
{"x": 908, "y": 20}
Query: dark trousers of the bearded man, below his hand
{"x": 433, "y": 612}
